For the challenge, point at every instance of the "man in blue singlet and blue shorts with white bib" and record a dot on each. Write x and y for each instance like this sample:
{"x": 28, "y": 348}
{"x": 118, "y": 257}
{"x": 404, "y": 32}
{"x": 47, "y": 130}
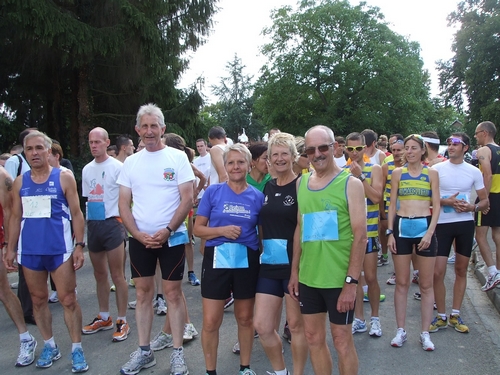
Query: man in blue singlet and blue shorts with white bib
{"x": 43, "y": 202}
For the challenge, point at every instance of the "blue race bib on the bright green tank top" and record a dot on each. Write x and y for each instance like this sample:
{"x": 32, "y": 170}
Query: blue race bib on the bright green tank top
{"x": 320, "y": 226}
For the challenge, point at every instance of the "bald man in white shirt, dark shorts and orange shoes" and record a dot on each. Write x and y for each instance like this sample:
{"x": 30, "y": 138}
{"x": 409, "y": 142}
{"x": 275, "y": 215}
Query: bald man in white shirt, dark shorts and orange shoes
{"x": 105, "y": 234}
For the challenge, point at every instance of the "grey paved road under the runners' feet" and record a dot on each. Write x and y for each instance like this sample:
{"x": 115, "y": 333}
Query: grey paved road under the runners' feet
{"x": 456, "y": 353}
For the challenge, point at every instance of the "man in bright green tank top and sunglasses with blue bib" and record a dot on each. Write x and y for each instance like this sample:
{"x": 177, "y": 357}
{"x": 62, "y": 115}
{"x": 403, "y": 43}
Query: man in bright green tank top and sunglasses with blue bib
{"x": 329, "y": 245}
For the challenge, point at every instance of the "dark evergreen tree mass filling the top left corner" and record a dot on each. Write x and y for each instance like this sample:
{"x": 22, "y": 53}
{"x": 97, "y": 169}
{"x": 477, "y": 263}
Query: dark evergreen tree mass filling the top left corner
{"x": 70, "y": 65}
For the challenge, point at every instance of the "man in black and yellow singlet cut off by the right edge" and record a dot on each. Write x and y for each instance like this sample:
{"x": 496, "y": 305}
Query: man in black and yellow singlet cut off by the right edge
{"x": 489, "y": 164}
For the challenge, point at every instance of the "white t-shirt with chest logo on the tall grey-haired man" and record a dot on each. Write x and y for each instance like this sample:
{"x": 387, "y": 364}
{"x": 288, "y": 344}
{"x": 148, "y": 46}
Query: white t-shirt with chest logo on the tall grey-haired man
{"x": 154, "y": 178}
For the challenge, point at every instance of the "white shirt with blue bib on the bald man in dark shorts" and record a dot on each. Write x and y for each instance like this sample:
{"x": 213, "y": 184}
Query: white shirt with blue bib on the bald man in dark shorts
{"x": 99, "y": 185}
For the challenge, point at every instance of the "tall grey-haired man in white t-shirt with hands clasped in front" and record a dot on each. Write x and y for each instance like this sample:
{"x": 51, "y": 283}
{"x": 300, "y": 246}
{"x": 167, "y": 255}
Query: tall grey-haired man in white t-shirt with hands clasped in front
{"x": 160, "y": 179}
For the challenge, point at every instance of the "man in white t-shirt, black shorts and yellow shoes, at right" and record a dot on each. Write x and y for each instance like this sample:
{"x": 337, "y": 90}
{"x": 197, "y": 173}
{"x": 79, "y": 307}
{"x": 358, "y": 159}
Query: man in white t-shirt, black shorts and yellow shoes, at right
{"x": 455, "y": 224}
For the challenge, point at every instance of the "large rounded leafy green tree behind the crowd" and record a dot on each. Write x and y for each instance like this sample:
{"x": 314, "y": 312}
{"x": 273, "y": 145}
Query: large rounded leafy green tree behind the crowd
{"x": 340, "y": 65}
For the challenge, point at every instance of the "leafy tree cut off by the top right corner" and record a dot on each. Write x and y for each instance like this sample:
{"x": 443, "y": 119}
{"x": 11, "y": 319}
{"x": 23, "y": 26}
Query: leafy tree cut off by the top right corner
{"x": 474, "y": 70}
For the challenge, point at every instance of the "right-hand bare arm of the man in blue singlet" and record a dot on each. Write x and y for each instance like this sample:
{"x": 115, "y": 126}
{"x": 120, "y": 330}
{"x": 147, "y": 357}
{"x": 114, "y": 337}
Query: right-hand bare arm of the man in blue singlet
{"x": 68, "y": 185}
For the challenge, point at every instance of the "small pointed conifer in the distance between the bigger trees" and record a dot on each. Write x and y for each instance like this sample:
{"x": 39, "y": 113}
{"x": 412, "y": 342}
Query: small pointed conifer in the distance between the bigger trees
{"x": 234, "y": 109}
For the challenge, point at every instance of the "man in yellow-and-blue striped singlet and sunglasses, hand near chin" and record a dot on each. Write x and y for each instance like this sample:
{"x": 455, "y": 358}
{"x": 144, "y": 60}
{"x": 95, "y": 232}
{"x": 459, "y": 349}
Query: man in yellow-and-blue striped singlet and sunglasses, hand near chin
{"x": 371, "y": 177}
